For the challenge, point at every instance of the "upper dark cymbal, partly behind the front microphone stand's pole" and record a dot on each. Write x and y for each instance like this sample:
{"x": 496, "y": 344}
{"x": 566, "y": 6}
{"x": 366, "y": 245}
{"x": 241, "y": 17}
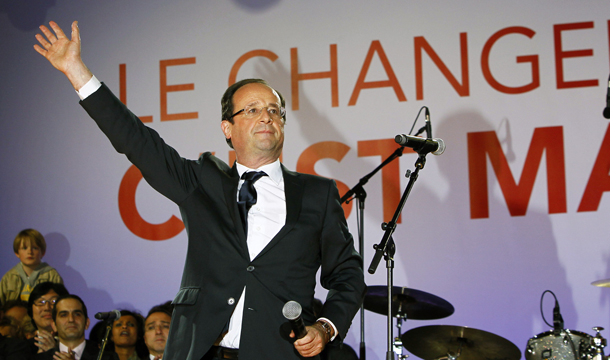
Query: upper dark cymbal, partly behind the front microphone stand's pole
{"x": 414, "y": 304}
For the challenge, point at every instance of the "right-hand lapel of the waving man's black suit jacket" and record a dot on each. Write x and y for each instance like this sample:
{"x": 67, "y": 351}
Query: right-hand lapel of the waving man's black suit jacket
{"x": 293, "y": 189}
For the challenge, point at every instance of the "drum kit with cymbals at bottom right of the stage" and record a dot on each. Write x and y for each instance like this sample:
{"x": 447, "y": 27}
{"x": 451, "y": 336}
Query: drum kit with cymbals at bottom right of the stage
{"x": 446, "y": 342}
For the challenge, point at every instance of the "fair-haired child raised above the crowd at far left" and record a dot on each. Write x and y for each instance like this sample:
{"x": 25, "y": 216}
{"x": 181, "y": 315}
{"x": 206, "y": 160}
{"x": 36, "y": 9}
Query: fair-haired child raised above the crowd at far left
{"x": 29, "y": 247}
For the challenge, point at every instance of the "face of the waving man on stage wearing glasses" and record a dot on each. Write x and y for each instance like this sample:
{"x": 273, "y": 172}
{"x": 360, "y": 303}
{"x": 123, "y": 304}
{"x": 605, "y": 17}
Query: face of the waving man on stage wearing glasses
{"x": 260, "y": 135}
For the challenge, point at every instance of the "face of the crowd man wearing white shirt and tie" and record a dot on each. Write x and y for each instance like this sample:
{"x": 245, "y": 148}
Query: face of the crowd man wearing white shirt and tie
{"x": 70, "y": 322}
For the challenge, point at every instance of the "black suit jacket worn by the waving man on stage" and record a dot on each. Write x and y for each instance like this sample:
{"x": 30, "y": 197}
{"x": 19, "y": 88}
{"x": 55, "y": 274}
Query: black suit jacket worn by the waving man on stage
{"x": 218, "y": 266}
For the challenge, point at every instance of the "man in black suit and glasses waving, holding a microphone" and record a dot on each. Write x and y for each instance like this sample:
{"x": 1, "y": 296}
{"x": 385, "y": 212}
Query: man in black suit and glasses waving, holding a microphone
{"x": 242, "y": 266}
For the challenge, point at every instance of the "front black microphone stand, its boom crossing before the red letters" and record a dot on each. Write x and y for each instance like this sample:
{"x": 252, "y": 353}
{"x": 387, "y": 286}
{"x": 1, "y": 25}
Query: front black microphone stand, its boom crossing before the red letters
{"x": 386, "y": 247}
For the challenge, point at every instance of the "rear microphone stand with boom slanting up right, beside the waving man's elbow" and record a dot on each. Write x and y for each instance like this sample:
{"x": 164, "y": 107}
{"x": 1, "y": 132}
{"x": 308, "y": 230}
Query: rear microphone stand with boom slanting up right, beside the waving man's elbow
{"x": 359, "y": 193}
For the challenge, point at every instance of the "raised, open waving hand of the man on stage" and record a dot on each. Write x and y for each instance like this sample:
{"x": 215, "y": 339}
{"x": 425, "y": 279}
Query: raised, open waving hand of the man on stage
{"x": 63, "y": 53}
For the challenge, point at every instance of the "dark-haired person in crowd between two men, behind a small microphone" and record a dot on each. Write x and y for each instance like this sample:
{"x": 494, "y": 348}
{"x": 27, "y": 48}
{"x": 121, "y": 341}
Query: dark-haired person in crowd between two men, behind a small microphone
{"x": 128, "y": 336}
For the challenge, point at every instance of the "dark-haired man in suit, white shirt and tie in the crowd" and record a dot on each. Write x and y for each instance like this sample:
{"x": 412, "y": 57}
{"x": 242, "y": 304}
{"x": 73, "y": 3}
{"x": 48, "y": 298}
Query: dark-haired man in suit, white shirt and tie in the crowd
{"x": 70, "y": 320}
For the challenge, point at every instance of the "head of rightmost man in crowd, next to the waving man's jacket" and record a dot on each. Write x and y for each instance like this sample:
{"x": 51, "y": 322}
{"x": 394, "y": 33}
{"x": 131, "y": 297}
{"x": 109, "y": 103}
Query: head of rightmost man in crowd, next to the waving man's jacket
{"x": 156, "y": 329}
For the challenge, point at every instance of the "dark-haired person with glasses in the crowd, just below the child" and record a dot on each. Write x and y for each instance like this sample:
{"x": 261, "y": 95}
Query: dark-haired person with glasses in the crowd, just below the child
{"x": 40, "y": 308}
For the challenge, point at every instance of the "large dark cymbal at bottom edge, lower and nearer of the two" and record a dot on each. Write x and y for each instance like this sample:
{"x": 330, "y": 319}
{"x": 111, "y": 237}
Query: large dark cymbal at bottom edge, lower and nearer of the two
{"x": 436, "y": 341}
